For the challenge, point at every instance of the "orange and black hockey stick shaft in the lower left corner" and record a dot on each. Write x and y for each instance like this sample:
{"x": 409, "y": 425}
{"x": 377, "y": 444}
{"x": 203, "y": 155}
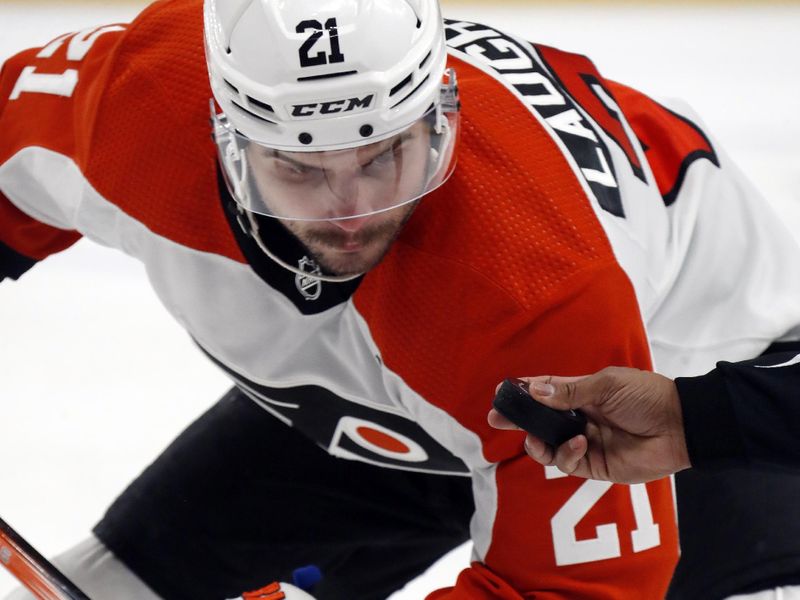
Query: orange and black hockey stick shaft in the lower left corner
{"x": 33, "y": 570}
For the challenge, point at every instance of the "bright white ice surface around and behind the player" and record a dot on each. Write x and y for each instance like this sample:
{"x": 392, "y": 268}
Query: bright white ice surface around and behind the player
{"x": 95, "y": 379}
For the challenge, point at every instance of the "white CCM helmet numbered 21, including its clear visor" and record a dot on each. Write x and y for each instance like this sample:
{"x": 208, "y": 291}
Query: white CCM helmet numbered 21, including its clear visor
{"x": 307, "y": 81}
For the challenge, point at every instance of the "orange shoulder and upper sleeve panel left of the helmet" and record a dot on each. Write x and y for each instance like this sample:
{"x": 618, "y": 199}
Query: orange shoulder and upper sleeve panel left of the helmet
{"x": 129, "y": 104}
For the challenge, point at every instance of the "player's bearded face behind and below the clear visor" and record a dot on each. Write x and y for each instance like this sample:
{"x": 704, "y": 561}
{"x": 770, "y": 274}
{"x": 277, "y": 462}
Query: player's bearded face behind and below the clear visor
{"x": 350, "y": 182}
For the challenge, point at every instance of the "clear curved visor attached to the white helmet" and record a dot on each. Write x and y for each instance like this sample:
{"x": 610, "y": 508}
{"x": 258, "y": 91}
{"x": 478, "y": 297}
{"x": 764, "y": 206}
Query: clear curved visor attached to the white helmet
{"x": 339, "y": 184}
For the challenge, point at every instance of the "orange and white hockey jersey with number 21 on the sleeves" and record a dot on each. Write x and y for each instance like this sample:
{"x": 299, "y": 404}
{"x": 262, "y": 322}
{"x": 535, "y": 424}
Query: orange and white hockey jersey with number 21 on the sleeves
{"x": 577, "y": 231}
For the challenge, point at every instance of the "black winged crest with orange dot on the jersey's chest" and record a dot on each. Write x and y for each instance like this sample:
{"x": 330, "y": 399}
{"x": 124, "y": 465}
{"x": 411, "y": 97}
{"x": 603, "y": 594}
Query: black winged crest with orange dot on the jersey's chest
{"x": 334, "y": 424}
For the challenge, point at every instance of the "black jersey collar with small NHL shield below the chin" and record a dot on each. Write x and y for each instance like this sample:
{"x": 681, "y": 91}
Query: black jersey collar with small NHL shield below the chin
{"x": 289, "y": 249}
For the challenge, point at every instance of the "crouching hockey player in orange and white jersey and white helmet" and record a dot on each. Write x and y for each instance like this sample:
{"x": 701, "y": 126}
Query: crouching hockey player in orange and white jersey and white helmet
{"x": 365, "y": 294}
